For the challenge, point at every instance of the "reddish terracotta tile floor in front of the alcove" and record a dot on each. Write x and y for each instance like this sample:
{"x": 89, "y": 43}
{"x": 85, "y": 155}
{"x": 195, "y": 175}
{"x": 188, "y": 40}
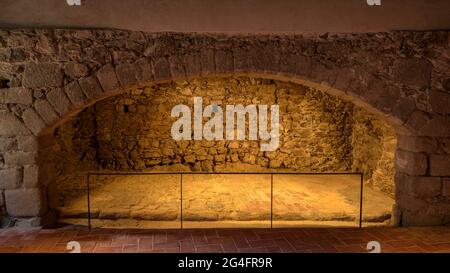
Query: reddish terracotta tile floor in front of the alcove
{"x": 433, "y": 239}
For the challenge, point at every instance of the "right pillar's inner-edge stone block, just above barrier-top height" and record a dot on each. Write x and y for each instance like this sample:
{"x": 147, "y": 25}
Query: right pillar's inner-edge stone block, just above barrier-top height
{"x": 411, "y": 163}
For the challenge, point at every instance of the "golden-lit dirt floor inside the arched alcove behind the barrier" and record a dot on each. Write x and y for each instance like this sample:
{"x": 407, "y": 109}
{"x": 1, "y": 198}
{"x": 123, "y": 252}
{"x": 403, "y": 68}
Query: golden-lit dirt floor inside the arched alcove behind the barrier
{"x": 222, "y": 200}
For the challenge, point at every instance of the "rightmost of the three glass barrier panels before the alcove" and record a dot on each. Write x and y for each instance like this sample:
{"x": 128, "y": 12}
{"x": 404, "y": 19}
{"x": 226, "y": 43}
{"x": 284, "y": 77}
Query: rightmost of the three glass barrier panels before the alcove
{"x": 318, "y": 200}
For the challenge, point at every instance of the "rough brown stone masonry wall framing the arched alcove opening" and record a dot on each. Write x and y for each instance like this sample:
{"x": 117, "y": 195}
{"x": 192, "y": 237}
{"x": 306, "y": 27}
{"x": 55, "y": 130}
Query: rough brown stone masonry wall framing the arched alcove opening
{"x": 47, "y": 76}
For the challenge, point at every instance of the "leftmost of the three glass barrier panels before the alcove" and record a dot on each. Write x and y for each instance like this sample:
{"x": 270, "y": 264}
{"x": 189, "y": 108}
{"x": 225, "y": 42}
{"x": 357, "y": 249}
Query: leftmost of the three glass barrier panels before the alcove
{"x": 135, "y": 201}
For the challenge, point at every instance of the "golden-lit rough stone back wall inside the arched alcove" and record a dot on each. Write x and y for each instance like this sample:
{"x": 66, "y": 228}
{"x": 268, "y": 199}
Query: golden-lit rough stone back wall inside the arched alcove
{"x": 132, "y": 131}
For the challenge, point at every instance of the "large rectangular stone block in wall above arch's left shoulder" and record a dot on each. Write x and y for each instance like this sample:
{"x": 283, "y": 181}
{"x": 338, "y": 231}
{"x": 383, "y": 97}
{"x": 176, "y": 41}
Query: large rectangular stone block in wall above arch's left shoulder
{"x": 42, "y": 75}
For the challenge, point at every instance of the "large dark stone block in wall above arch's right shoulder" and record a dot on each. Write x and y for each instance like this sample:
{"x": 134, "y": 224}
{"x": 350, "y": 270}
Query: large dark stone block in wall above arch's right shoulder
{"x": 413, "y": 71}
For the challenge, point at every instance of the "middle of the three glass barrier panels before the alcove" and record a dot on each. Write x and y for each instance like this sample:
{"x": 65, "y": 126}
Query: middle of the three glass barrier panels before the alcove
{"x": 226, "y": 200}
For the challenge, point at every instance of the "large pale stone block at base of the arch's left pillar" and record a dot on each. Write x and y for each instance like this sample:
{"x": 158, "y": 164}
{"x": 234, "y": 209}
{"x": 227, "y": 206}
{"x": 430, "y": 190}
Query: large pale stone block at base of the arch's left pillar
{"x": 25, "y": 202}
